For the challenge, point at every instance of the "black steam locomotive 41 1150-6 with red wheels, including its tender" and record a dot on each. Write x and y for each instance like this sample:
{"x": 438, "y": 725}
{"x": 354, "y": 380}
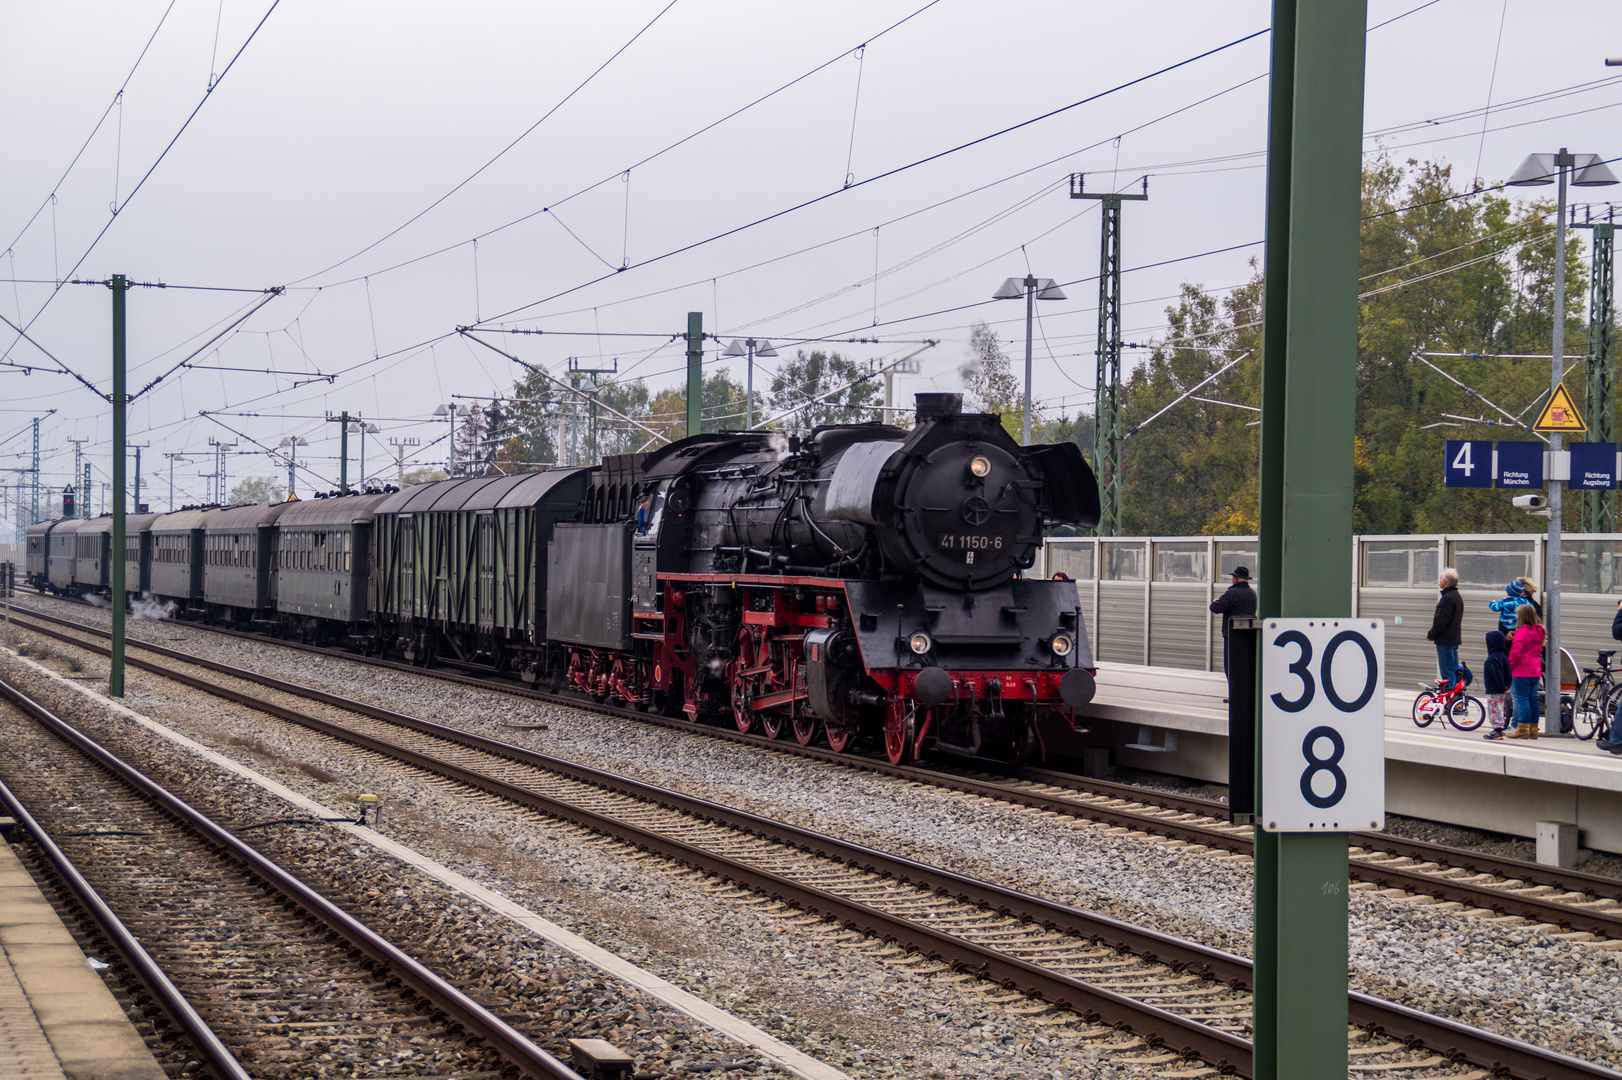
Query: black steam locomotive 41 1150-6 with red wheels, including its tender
{"x": 864, "y": 581}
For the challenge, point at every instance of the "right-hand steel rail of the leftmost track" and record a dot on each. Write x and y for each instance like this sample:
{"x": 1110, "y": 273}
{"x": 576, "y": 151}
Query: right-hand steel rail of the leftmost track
{"x": 512, "y": 1045}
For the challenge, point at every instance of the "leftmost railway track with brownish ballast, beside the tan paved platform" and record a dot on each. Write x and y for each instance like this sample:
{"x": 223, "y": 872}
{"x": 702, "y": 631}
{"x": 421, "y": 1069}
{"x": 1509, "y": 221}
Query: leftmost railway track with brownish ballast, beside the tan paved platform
{"x": 257, "y": 972}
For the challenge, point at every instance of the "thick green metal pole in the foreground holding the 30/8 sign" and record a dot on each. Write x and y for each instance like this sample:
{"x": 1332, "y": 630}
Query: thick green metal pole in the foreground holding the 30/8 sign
{"x": 1310, "y": 343}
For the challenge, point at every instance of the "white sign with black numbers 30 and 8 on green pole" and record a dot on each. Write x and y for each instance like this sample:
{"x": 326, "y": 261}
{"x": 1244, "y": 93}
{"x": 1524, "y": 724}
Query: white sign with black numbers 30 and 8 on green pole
{"x": 1323, "y": 724}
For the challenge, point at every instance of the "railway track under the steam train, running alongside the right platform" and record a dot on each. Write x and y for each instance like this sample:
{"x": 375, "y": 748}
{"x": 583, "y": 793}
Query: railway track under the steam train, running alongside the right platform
{"x": 1566, "y": 902}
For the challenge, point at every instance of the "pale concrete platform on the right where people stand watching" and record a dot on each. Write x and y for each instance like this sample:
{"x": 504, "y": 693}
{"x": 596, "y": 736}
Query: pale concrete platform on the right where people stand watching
{"x": 1175, "y": 721}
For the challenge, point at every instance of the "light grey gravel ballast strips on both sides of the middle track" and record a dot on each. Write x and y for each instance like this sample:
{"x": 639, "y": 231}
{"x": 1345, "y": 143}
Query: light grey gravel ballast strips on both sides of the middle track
{"x": 859, "y": 1014}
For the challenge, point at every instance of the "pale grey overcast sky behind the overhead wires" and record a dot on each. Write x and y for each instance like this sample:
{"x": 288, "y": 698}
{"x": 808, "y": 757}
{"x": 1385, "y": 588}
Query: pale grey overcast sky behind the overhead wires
{"x": 791, "y": 171}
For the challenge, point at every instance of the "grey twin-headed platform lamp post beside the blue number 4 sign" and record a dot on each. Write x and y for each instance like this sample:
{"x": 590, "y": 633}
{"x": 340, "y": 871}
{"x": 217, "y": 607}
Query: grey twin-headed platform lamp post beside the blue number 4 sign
{"x": 1586, "y": 171}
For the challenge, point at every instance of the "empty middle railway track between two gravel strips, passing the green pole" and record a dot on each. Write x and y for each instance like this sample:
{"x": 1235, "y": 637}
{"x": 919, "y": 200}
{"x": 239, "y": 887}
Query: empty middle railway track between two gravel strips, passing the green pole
{"x": 1178, "y": 995}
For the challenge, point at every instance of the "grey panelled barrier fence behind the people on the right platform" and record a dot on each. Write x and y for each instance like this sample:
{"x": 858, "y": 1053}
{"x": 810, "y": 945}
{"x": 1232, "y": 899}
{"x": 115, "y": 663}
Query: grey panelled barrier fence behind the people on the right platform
{"x": 1148, "y": 599}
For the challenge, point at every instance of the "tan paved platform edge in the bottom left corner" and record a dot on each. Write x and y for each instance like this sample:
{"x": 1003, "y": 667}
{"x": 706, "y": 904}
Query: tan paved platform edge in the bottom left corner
{"x": 58, "y": 1018}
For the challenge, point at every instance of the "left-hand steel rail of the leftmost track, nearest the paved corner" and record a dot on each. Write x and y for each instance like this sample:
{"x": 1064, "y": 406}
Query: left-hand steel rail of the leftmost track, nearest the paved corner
{"x": 166, "y": 996}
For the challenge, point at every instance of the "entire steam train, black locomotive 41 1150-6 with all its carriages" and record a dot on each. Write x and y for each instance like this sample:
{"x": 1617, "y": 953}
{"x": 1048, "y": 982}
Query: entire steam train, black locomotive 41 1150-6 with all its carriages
{"x": 860, "y": 583}
